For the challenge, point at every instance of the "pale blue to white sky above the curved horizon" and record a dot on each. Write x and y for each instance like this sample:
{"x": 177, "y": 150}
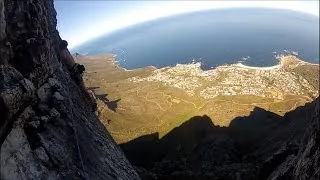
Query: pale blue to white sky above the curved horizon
{"x": 80, "y": 21}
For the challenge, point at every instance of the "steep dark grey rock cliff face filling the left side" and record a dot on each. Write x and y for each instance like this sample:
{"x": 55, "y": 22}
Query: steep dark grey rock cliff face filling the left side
{"x": 46, "y": 129}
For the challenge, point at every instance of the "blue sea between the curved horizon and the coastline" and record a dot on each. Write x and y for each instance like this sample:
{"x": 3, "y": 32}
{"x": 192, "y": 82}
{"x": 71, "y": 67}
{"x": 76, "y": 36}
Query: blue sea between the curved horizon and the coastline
{"x": 215, "y": 37}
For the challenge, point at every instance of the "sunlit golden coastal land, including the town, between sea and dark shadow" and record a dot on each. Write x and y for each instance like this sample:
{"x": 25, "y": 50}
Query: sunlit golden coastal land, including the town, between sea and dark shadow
{"x": 148, "y": 100}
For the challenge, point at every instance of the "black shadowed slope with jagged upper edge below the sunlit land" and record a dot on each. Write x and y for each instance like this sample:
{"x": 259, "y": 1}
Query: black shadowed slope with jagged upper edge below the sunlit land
{"x": 252, "y": 147}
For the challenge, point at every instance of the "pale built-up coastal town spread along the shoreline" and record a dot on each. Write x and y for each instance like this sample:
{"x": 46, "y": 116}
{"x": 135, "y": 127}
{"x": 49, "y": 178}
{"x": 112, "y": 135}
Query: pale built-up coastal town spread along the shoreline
{"x": 236, "y": 79}
